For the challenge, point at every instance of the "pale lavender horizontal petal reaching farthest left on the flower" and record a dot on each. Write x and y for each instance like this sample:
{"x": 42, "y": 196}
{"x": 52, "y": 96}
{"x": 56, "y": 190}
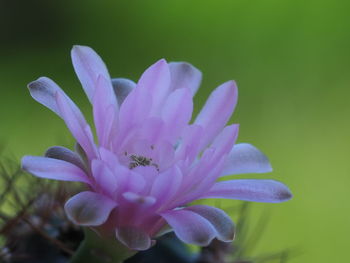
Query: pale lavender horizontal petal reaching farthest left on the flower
{"x": 53, "y": 169}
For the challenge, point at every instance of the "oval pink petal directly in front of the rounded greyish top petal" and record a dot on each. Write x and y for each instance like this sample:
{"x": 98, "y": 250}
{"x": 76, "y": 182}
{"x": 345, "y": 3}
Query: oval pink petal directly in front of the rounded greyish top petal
{"x": 176, "y": 113}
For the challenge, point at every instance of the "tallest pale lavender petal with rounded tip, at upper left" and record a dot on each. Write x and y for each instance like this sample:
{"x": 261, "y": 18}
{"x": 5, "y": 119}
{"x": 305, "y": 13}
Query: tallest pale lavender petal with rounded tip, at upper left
{"x": 88, "y": 65}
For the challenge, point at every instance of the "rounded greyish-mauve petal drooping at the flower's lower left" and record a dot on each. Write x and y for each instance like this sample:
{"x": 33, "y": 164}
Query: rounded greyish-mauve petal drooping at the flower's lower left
{"x": 89, "y": 208}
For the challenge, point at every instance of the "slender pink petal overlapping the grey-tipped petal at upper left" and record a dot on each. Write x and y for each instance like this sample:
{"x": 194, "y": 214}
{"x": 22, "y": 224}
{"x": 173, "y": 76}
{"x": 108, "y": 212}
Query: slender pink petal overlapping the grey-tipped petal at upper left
{"x": 77, "y": 124}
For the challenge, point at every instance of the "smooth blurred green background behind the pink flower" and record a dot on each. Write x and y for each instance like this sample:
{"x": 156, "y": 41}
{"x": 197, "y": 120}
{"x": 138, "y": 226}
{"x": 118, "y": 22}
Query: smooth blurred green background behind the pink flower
{"x": 291, "y": 60}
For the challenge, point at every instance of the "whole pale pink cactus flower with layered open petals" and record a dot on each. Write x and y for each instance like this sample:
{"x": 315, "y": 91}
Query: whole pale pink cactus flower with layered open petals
{"x": 150, "y": 162}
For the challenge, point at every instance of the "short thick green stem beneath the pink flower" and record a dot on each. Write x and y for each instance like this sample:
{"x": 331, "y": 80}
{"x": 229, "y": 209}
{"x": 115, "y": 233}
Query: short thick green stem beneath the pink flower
{"x": 94, "y": 249}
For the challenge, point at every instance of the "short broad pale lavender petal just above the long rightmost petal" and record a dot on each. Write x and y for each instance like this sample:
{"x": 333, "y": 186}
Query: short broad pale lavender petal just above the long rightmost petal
{"x": 245, "y": 158}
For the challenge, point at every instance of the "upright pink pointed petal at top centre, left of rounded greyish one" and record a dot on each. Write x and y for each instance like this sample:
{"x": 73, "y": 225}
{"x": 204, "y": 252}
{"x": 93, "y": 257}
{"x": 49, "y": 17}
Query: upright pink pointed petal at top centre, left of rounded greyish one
{"x": 156, "y": 79}
